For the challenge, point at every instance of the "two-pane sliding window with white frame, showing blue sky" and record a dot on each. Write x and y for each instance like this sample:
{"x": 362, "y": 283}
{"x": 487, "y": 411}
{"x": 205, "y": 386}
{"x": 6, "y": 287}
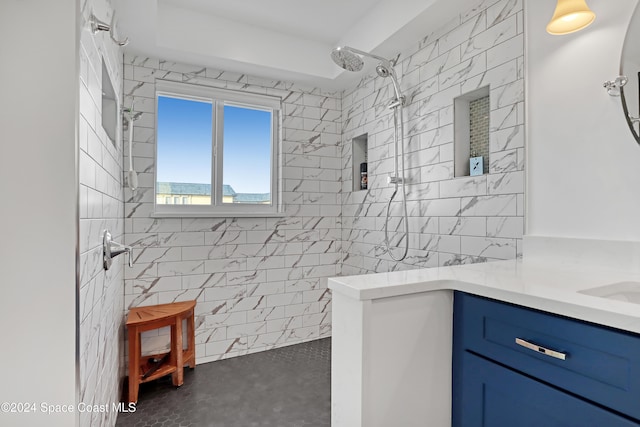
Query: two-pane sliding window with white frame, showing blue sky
{"x": 216, "y": 151}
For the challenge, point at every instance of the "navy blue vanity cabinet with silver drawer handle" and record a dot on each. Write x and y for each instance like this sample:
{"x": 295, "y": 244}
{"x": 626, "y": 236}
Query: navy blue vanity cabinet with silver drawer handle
{"x": 514, "y": 366}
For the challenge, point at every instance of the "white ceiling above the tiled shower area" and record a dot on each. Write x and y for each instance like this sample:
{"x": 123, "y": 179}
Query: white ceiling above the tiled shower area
{"x": 279, "y": 39}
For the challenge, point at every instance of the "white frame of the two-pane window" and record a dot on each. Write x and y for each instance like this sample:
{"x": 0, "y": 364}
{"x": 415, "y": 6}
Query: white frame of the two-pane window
{"x": 219, "y": 98}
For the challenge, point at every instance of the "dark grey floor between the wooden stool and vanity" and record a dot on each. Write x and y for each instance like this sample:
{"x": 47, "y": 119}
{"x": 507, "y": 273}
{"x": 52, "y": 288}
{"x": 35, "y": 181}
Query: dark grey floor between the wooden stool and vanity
{"x": 285, "y": 387}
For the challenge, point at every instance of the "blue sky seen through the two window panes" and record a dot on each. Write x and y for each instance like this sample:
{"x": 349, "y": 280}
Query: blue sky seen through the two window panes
{"x": 185, "y": 144}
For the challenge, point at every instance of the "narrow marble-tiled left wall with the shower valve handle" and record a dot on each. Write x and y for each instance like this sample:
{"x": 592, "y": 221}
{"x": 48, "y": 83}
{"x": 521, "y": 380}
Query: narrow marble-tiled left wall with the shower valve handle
{"x": 101, "y": 207}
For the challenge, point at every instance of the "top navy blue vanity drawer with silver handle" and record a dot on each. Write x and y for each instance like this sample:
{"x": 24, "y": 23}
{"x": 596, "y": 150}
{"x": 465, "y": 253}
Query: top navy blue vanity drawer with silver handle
{"x": 600, "y": 364}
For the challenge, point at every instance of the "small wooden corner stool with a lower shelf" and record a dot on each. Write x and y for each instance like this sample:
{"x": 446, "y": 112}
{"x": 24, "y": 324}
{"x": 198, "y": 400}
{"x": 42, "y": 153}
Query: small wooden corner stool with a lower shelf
{"x": 149, "y": 368}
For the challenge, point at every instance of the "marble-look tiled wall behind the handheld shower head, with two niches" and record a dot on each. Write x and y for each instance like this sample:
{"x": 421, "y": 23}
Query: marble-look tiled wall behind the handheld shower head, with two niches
{"x": 451, "y": 220}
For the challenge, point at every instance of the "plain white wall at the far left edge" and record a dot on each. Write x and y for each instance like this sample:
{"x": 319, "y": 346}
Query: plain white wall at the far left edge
{"x": 38, "y": 114}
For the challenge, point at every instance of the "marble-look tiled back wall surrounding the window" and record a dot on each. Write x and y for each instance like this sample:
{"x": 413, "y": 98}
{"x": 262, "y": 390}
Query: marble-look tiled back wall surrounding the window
{"x": 259, "y": 282}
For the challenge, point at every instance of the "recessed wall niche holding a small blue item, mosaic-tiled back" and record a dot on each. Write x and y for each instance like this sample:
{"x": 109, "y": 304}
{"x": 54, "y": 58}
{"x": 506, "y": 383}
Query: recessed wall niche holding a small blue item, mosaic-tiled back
{"x": 471, "y": 130}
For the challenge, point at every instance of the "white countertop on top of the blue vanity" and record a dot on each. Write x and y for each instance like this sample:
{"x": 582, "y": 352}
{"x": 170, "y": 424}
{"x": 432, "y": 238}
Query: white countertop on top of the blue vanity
{"x": 543, "y": 286}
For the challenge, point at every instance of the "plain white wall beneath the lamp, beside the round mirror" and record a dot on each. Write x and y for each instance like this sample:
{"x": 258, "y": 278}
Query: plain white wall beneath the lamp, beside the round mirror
{"x": 583, "y": 176}
